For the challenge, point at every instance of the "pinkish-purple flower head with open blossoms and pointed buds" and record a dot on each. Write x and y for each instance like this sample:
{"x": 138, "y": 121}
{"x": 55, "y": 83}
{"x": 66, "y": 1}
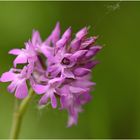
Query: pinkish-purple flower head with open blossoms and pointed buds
{"x": 58, "y": 67}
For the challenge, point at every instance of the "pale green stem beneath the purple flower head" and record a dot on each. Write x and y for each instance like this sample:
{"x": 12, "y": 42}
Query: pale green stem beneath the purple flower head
{"x": 18, "y": 115}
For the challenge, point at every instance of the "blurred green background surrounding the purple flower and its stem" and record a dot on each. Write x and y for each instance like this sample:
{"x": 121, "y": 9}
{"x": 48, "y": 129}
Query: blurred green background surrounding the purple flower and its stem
{"x": 115, "y": 110}
